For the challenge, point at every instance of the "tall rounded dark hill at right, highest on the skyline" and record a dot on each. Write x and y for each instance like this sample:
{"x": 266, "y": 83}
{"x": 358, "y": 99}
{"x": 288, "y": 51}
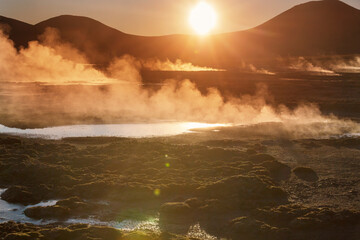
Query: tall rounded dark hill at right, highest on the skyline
{"x": 316, "y": 27}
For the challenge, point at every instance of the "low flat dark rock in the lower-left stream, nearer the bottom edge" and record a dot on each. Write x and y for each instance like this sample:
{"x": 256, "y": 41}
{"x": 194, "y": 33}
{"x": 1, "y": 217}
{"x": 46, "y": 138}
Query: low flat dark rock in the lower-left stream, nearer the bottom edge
{"x": 48, "y": 212}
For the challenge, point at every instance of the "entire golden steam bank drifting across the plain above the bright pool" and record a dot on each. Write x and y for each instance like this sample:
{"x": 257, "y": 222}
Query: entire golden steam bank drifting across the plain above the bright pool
{"x": 125, "y": 99}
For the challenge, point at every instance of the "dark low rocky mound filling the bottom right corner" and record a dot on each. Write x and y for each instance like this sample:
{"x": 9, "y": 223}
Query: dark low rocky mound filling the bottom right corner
{"x": 303, "y": 222}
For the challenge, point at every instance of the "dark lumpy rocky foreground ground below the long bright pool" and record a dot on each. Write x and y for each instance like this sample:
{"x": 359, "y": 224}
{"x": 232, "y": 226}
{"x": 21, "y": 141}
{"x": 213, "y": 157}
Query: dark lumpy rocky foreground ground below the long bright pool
{"x": 245, "y": 187}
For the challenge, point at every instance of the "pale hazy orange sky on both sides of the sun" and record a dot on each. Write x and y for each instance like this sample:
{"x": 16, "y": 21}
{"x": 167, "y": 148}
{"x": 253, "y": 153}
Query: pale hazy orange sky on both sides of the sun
{"x": 151, "y": 17}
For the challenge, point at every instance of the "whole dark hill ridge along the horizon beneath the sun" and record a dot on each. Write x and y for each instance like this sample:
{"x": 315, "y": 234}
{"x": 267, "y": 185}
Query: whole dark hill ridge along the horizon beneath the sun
{"x": 314, "y": 28}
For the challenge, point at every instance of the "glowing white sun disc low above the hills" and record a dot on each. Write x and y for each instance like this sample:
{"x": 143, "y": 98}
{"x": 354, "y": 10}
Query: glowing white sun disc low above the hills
{"x": 203, "y": 18}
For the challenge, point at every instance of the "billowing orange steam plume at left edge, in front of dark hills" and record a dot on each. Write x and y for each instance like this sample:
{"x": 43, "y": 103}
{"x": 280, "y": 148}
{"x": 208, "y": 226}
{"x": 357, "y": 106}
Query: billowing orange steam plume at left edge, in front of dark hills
{"x": 39, "y": 63}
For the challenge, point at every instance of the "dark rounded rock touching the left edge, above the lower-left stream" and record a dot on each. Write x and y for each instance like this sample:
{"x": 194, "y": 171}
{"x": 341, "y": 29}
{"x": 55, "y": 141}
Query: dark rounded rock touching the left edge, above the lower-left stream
{"x": 19, "y": 194}
